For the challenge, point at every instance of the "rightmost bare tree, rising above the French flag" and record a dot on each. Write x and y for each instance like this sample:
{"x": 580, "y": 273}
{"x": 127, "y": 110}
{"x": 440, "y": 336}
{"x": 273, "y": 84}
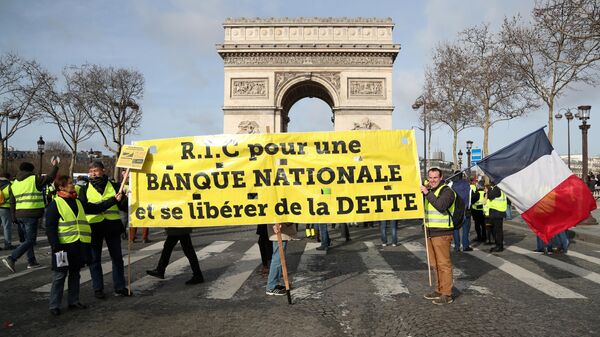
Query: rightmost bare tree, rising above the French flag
{"x": 547, "y": 57}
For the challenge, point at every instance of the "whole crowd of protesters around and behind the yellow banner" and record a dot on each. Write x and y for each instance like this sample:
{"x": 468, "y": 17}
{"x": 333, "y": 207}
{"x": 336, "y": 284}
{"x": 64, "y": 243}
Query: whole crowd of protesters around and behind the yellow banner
{"x": 80, "y": 217}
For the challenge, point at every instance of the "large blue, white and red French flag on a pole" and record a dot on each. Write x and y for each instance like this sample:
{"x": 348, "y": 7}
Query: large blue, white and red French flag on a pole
{"x": 539, "y": 184}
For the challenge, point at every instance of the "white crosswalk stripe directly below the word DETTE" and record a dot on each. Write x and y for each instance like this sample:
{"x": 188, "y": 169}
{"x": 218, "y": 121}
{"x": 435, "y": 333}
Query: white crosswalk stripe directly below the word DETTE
{"x": 381, "y": 274}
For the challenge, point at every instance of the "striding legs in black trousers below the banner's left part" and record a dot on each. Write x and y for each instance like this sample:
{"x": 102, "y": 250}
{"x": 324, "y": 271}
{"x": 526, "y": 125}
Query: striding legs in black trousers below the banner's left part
{"x": 183, "y": 236}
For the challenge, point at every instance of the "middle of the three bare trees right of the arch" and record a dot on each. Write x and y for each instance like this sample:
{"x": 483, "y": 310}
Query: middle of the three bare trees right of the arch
{"x": 495, "y": 86}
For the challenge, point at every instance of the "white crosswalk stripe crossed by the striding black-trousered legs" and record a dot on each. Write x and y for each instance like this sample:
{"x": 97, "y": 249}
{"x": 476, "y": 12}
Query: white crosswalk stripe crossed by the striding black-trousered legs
{"x": 179, "y": 266}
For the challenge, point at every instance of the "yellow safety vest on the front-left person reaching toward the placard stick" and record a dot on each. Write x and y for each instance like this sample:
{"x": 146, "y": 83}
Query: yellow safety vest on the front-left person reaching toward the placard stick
{"x": 70, "y": 227}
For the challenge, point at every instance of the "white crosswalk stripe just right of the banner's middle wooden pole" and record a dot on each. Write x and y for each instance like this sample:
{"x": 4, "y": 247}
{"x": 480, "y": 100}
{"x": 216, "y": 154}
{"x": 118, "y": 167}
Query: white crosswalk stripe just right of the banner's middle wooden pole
{"x": 307, "y": 282}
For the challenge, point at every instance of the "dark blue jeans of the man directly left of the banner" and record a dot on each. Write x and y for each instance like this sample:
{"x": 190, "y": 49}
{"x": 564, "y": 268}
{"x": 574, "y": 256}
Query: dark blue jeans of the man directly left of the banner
{"x": 113, "y": 242}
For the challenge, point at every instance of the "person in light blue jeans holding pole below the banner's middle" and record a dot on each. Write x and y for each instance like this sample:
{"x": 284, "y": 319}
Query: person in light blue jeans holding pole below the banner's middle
{"x": 275, "y": 280}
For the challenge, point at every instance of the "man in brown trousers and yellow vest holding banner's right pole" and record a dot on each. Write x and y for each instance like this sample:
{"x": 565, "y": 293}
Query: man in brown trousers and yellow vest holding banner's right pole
{"x": 439, "y": 203}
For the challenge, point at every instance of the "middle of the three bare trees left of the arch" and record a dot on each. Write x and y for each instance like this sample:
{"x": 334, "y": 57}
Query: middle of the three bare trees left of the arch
{"x": 66, "y": 109}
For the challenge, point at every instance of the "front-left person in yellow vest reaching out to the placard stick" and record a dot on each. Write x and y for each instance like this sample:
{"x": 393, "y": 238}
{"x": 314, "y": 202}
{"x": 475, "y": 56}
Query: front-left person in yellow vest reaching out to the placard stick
{"x": 68, "y": 231}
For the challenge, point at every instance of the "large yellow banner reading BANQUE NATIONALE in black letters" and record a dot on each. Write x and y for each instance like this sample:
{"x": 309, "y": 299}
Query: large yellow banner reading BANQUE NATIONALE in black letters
{"x": 315, "y": 177}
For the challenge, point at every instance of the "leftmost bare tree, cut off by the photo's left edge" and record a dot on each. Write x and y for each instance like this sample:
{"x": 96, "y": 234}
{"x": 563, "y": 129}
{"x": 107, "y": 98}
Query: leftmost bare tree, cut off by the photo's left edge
{"x": 20, "y": 82}
